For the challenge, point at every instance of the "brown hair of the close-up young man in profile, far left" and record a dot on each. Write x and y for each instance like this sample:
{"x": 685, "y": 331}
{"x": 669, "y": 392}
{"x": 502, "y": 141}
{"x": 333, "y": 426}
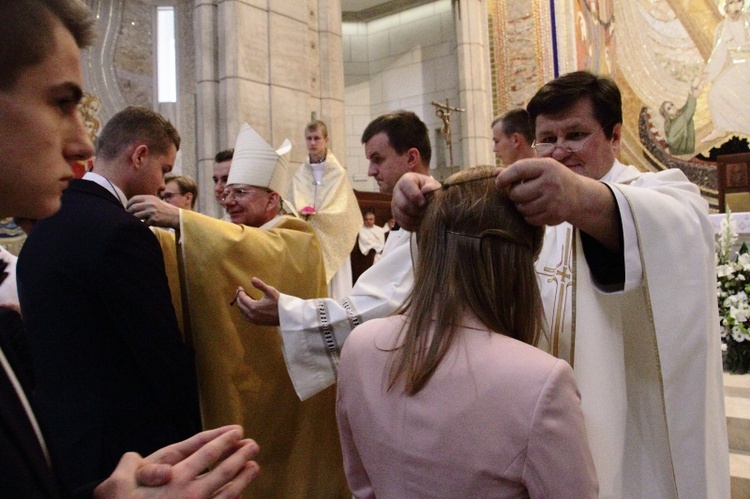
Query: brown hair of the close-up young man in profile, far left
{"x": 26, "y": 32}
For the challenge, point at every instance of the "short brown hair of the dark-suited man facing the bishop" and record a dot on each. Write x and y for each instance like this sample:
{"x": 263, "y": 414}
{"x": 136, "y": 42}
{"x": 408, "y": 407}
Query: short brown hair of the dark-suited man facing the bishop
{"x": 137, "y": 124}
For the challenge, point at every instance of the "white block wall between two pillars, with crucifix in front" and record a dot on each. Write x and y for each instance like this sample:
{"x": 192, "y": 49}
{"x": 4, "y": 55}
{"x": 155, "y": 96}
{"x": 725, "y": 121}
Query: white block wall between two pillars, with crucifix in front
{"x": 401, "y": 61}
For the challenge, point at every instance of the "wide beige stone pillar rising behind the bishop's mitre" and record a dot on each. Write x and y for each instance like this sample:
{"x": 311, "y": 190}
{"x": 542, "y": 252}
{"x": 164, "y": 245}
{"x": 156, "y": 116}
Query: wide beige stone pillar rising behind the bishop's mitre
{"x": 279, "y": 63}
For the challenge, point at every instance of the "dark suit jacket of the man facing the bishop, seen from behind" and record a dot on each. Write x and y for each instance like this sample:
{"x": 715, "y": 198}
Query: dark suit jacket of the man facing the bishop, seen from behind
{"x": 112, "y": 374}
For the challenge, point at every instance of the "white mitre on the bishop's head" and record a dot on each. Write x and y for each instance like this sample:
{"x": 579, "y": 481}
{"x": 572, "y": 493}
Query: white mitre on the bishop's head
{"x": 256, "y": 163}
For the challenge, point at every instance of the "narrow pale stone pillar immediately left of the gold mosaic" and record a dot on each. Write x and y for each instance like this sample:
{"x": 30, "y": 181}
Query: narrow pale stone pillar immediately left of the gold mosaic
{"x": 475, "y": 91}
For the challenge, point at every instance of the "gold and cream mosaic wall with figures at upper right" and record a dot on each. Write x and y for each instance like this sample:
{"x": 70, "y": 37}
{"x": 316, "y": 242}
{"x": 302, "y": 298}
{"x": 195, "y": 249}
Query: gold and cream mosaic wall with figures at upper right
{"x": 683, "y": 68}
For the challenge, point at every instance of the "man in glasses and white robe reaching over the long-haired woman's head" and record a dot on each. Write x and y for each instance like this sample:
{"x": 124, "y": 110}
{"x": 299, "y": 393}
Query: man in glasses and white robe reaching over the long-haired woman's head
{"x": 629, "y": 290}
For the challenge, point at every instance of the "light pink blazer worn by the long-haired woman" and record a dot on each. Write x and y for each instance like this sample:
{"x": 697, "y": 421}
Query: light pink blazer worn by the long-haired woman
{"x": 499, "y": 418}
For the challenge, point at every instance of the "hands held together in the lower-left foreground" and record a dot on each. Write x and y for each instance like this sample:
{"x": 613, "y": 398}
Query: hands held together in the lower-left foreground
{"x": 178, "y": 470}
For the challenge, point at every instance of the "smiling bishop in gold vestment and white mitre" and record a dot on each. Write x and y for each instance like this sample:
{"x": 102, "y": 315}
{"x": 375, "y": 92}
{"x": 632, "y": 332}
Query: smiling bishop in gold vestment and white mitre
{"x": 242, "y": 375}
